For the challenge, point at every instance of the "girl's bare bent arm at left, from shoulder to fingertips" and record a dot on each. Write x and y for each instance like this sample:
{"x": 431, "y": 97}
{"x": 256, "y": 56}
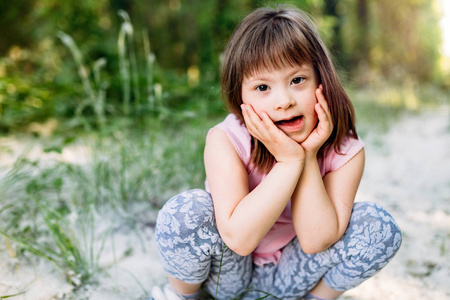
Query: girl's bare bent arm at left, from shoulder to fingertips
{"x": 243, "y": 218}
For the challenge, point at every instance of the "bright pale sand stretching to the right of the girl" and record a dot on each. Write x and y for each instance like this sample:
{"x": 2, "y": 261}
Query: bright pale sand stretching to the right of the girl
{"x": 409, "y": 174}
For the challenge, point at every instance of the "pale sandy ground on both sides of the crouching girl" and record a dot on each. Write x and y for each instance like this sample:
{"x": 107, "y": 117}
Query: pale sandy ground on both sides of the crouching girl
{"x": 407, "y": 171}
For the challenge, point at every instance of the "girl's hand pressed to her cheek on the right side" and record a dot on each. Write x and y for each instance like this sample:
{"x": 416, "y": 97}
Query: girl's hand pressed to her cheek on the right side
{"x": 324, "y": 128}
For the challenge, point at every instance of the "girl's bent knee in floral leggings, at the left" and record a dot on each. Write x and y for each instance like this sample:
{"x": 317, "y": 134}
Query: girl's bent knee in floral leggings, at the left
{"x": 187, "y": 236}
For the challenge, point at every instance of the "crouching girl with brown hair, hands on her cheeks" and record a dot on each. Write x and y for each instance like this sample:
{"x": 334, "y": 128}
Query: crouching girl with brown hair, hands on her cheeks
{"x": 278, "y": 215}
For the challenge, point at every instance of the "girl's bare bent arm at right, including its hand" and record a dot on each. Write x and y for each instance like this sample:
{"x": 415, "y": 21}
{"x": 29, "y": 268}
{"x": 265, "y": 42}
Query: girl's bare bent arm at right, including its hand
{"x": 321, "y": 208}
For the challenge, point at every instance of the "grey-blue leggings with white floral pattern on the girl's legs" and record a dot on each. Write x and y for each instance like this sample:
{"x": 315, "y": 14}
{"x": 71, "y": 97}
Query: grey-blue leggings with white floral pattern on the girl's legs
{"x": 192, "y": 251}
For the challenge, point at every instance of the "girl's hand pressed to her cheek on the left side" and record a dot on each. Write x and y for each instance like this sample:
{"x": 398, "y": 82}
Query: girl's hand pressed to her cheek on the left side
{"x": 282, "y": 147}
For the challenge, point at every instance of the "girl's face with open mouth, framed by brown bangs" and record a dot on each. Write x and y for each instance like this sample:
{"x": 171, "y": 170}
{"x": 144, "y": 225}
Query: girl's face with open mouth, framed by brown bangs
{"x": 287, "y": 95}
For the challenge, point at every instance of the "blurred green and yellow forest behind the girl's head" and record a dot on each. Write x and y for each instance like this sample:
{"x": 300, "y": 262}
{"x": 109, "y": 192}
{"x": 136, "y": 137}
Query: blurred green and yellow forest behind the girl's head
{"x": 91, "y": 61}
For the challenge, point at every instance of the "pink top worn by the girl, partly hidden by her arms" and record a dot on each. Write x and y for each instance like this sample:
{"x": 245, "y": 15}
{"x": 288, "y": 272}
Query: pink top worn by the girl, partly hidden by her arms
{"x": 282, "y": 232}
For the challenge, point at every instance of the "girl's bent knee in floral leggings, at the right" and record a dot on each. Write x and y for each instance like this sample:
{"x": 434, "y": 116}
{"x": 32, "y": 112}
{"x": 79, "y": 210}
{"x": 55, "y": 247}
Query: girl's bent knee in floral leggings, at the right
{"x": 370, "y": 242}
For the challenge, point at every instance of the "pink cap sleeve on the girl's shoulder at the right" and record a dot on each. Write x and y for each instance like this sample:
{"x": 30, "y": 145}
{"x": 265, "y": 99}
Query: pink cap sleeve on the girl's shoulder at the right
{"x": 332, "y": 160}
